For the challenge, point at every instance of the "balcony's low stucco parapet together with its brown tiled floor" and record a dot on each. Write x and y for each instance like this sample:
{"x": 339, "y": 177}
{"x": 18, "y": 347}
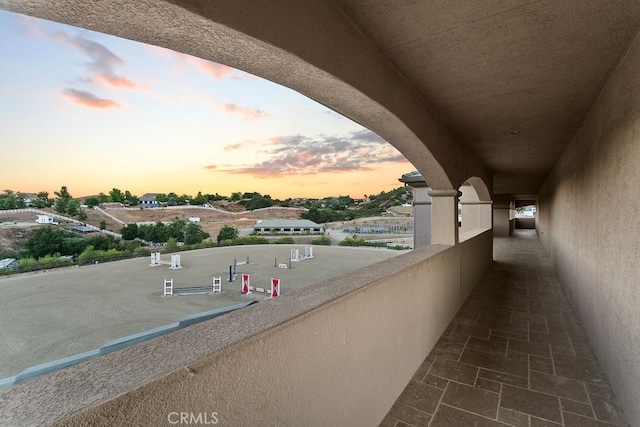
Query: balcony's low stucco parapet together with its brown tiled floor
{"x": 351, "y": 349}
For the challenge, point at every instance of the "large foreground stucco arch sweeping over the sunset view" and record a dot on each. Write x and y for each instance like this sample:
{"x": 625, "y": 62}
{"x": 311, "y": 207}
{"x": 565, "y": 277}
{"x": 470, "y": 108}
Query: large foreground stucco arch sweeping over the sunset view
{"x": 305, "y": 53}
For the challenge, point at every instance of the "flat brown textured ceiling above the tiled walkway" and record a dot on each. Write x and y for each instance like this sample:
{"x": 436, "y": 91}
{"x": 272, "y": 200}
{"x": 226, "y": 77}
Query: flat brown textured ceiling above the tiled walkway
{"x": 512, "y": 79}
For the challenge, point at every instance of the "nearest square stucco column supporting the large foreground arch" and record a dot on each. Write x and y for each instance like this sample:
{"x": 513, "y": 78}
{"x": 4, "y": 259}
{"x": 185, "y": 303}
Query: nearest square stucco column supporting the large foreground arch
{"x": 444, "y": 216}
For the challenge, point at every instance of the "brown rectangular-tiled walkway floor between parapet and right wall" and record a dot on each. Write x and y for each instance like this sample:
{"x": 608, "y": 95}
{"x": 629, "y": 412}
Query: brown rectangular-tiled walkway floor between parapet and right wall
{"x": 513, "y": 355}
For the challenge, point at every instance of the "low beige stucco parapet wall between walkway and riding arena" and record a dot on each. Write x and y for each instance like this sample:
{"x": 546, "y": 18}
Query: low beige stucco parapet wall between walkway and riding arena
{"x": 293, "y": 360}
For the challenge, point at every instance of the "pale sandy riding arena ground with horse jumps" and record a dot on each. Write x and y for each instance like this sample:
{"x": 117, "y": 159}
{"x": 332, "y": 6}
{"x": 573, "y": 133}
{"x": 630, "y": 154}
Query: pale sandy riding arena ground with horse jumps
{"x": 49, "y": 315}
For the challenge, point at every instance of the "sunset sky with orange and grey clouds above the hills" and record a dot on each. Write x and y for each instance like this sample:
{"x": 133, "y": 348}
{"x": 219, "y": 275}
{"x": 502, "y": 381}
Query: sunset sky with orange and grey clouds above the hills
{"x": 93, "y": 112}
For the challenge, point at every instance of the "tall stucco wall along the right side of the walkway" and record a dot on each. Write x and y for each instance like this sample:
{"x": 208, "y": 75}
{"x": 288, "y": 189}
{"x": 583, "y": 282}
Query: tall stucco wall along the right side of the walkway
{"x": 590, "y": 225}
